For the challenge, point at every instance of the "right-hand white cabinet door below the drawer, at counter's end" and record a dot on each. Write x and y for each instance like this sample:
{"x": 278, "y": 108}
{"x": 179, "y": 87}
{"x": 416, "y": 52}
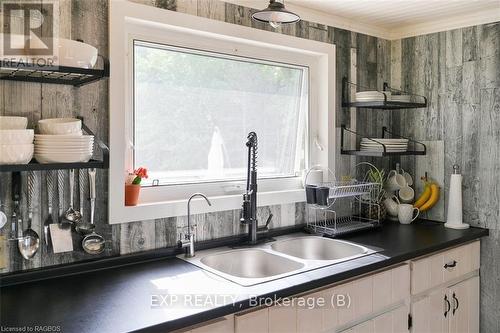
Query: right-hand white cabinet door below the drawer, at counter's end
{"x": 464, "y": 297}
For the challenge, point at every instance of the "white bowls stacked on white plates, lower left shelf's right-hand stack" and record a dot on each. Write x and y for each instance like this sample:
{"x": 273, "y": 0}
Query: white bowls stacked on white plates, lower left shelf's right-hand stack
{"x": 61, "y": 141}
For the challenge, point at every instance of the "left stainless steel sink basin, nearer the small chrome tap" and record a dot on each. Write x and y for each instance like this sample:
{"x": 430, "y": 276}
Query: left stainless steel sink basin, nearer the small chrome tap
{"x": 251, "y": 263}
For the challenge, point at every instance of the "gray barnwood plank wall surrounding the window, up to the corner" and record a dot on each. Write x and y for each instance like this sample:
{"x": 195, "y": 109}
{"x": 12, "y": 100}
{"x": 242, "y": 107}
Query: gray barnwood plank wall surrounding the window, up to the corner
{"x": 88, "y": 20}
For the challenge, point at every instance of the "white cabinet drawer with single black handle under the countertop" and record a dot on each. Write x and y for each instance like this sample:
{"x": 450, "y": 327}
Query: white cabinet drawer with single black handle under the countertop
{"x": 444, "y": 266}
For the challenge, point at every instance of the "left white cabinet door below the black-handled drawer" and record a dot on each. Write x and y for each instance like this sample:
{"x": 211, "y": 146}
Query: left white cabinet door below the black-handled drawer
{"x": 430, "y": 314}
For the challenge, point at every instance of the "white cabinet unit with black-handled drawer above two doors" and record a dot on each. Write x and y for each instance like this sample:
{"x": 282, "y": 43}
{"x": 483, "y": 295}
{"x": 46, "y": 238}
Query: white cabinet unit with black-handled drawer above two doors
{"x": 447, "y": 289}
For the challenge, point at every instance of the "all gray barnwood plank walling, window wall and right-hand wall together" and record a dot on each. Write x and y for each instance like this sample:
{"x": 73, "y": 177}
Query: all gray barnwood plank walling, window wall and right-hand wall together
{"x": 457, "y": 70}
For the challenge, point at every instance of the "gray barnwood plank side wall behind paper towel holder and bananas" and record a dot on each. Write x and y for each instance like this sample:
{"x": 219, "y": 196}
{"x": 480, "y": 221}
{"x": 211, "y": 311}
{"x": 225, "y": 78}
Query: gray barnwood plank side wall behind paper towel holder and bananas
{"x": 459, "y": 72}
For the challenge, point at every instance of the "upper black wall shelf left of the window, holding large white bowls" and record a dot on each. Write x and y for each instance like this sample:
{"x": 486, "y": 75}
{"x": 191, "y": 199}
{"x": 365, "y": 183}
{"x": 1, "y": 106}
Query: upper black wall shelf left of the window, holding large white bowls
{"x": 77, "y": 77}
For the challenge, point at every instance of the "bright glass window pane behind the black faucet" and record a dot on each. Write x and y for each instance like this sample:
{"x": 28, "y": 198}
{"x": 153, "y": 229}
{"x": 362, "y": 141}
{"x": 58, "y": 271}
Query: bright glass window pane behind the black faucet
{"x": 194, "y": 109}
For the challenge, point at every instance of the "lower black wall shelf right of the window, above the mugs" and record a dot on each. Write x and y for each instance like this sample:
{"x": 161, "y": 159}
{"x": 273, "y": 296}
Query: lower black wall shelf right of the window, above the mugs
{"x": 385, "y": 134}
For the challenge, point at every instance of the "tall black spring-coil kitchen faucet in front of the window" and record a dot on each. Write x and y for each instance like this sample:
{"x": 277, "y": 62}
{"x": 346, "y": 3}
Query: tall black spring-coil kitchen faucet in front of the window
{"x": 249, "y": 209}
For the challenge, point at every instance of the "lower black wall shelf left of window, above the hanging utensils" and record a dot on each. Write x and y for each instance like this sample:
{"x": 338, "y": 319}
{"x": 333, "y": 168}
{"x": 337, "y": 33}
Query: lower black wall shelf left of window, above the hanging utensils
{"x": 35, "y": 166}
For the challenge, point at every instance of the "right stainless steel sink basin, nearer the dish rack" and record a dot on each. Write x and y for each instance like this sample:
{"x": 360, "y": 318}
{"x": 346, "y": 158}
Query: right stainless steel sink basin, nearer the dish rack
{"x": 318, "y": 248}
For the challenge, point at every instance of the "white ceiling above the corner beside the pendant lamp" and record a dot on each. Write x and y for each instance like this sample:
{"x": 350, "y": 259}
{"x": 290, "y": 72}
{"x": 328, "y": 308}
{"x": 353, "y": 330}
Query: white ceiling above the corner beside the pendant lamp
{"x": 392, "y": 18}
